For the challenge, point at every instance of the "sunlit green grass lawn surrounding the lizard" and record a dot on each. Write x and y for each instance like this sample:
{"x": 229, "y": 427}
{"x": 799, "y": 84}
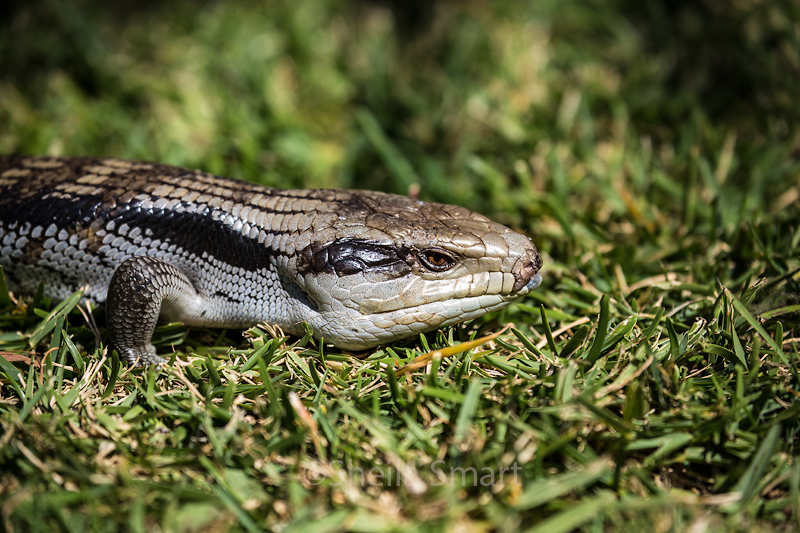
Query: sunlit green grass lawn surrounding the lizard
{"x": 653, "y": 155}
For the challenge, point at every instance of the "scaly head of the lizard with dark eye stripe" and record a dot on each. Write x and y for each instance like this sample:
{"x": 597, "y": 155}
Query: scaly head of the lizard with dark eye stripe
{"x": 383, "y": 267}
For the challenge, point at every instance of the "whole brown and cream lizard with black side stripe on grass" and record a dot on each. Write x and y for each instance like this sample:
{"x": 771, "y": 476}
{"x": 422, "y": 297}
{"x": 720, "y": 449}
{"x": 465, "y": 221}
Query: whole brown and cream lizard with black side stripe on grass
{"x": 360, "y": 268}
